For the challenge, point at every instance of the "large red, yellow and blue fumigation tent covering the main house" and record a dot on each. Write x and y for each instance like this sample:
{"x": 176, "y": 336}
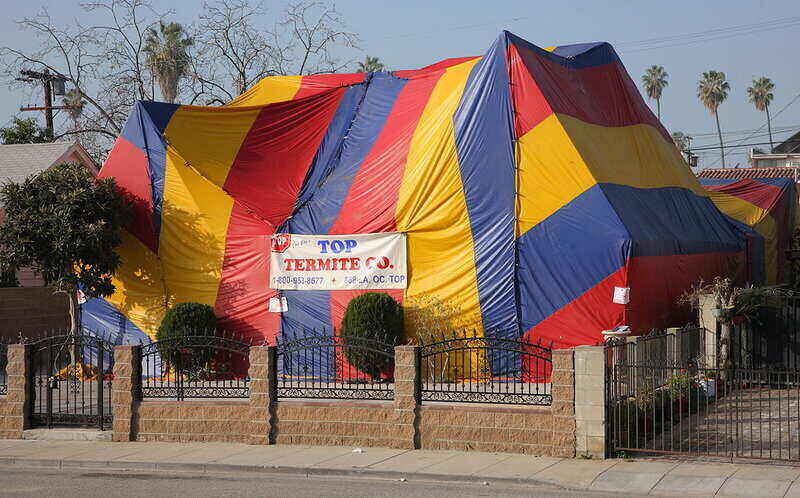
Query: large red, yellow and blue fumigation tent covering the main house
{"x": 530, "y": 183}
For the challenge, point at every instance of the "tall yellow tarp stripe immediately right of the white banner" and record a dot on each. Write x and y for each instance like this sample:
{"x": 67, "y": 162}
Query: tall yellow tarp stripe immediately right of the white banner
{"x": 431, "y": 206}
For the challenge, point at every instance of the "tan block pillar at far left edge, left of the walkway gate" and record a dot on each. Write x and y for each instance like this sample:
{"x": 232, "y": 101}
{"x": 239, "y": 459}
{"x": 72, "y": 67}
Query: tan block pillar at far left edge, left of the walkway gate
{"x": 15, "y": 406}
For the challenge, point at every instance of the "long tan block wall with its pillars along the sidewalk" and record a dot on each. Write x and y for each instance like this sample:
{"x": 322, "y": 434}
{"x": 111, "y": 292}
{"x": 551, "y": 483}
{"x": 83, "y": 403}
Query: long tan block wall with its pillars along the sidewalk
{"x": 572, "y": 424}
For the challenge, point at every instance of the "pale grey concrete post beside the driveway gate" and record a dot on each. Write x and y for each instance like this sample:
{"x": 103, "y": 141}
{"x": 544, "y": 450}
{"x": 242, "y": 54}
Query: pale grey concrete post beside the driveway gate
{"x": 590, "y": 401}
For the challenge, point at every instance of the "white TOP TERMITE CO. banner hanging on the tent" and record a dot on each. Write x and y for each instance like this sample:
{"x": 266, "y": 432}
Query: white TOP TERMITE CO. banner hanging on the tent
{"x": 330, "y": 262}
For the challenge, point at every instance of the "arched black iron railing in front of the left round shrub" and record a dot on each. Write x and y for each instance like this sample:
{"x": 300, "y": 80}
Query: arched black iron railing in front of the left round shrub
{"x": 201, "y": 365}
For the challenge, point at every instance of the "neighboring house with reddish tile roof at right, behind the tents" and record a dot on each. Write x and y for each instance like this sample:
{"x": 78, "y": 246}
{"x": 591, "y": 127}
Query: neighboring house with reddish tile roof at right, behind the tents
{"x": 783, "y": 161}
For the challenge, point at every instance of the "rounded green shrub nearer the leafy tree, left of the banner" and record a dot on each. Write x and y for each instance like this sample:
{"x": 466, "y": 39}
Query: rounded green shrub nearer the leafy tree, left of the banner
{"x": 185, "y": 336}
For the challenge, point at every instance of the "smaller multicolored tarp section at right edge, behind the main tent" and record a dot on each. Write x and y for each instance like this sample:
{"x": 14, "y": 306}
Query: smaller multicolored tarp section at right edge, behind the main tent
{"x": 768, "y": 205}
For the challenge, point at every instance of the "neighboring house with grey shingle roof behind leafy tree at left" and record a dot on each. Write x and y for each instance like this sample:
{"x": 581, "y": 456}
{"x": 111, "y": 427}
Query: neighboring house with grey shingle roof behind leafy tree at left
{"x": 19, "y": 161}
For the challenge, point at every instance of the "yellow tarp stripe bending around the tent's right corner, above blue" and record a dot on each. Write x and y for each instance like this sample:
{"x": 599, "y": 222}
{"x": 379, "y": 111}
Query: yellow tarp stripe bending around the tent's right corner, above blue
{"x": 562, "y": 157}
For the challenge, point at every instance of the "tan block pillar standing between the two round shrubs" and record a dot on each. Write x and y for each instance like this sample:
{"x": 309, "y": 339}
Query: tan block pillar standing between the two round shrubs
{"x": 263, "y": 393}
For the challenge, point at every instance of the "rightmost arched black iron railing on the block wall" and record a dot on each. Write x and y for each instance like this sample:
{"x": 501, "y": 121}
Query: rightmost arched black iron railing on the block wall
{"x": 485, "y": 369}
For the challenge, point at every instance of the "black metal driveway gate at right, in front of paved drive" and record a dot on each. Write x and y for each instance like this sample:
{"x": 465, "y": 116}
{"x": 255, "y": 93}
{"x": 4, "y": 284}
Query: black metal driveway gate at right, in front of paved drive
{"x": 663, "y": 402}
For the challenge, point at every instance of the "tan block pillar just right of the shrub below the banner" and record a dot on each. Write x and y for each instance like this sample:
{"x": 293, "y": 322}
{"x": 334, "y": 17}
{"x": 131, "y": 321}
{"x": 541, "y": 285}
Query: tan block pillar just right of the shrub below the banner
{"x": 407, "y": 389}
